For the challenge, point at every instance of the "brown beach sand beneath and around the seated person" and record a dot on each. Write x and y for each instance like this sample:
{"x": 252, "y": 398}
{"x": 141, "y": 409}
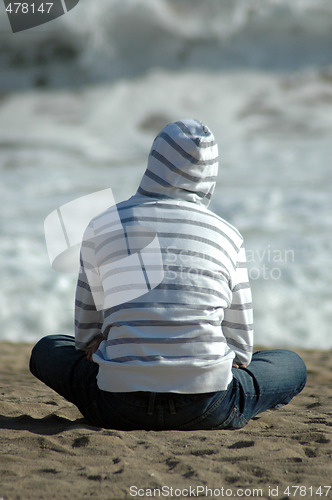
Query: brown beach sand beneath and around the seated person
{"x": 49, "y": 451}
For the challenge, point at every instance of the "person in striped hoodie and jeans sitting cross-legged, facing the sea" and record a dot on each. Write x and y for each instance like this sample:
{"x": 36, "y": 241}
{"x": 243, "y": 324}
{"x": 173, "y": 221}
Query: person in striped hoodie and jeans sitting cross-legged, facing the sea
{"x": 178, "y": 354}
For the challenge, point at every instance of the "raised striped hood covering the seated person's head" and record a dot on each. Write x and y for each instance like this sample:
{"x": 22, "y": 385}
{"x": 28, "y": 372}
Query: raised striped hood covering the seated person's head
{"x": 182, "y": 164}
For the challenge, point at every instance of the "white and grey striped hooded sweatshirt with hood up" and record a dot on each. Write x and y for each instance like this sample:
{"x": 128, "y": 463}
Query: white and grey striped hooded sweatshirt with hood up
{"x": 183, "y": 327}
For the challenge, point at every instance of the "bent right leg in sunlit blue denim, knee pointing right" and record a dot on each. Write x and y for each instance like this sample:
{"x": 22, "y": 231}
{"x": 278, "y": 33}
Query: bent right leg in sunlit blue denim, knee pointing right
{"x": 271, "y": 380}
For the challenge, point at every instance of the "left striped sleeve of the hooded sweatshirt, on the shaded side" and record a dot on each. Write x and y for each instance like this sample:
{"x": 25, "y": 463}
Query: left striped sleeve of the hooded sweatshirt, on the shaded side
{"x": 88, "y": 303}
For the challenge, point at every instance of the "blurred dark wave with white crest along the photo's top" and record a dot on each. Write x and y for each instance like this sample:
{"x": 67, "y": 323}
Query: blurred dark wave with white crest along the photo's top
{"x": 110, "y": 39}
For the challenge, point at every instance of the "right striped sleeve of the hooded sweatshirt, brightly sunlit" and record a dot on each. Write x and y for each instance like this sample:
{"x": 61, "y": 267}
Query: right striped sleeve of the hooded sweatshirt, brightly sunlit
{"x": 237, "y": 325}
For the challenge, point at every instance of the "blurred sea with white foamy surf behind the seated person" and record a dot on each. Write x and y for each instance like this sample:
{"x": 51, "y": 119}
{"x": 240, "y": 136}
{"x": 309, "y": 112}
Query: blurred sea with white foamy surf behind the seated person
{"x": 82, "y": 98}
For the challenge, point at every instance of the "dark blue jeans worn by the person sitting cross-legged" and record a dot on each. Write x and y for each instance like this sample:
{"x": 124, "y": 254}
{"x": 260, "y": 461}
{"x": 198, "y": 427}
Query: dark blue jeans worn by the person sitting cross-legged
{"x": 272, "y": 379}
